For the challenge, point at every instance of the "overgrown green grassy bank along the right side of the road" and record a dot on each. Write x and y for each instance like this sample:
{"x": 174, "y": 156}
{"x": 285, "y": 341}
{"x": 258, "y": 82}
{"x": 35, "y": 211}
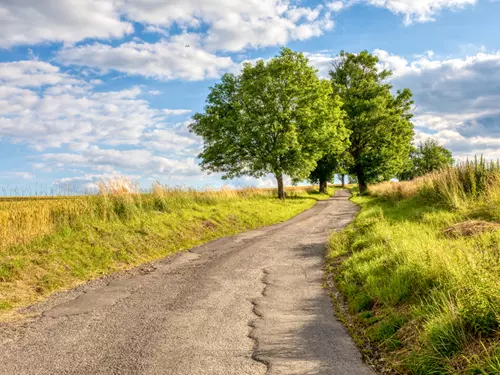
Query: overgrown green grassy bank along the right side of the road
{"x": 420, "y": 272}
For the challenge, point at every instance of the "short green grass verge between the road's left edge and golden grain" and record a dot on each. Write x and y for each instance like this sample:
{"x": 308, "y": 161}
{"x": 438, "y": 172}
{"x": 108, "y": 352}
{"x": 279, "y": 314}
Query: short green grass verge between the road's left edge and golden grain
{"x": 90, "y": 248}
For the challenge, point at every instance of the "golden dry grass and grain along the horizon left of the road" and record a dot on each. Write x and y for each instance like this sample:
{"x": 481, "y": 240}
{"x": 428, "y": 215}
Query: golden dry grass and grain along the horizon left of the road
{"x": 24, "y": 219}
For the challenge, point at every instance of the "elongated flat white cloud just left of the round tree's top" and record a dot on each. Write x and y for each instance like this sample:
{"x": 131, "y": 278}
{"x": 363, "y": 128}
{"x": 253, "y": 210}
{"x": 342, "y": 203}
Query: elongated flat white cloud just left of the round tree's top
{"x": 179, "y": 57}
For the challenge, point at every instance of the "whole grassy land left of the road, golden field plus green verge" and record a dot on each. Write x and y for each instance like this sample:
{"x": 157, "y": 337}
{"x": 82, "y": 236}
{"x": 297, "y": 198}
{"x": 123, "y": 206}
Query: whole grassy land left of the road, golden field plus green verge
{"x": 53, "y": 244}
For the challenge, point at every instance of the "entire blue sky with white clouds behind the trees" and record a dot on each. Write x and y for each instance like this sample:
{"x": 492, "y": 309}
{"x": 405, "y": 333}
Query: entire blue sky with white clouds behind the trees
{"x": 90, "y": 89}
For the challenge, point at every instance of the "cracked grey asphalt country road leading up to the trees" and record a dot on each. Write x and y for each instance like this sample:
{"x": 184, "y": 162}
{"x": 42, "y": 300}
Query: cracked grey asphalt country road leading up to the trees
{"x": 248, "y": 304}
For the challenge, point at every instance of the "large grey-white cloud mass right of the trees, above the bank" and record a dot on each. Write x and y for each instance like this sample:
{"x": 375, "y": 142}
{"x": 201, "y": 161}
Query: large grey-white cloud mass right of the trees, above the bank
{"x": 456, "y": 99}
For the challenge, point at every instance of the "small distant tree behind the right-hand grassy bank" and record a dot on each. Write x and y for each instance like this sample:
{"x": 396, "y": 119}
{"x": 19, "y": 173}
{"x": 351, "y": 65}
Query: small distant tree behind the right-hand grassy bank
{"x": 427, "y": 157}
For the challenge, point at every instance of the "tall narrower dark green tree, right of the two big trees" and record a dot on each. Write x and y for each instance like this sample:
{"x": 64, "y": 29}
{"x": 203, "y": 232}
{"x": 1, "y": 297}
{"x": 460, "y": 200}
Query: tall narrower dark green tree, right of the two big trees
{"x": 380, "y": 122}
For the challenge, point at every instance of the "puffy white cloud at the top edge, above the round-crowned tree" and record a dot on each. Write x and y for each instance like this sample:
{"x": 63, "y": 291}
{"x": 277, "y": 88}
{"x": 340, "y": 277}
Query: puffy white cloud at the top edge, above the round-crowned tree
{"x": 234, "y": 24}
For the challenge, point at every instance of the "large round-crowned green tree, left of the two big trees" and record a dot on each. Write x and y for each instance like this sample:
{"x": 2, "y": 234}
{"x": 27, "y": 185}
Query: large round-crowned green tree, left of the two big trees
{"x": 274, "y": 117}
